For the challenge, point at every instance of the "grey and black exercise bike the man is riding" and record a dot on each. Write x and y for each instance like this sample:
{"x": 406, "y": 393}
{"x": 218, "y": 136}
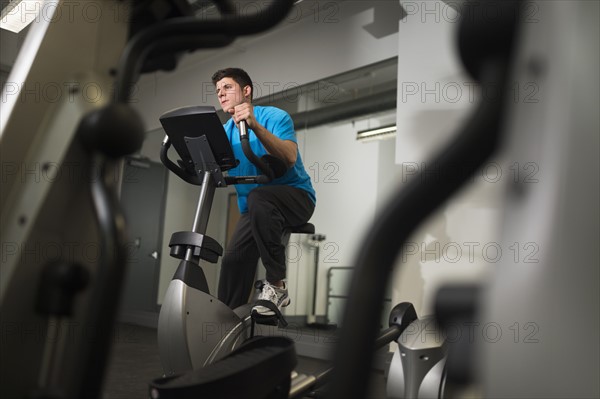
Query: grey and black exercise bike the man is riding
{"x": 195, "y": 328}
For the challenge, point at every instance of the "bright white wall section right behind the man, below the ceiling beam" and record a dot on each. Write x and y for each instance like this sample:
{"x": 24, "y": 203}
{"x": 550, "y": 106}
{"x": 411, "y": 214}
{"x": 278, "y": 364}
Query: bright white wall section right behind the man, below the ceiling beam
{"x": 344, "y": 174}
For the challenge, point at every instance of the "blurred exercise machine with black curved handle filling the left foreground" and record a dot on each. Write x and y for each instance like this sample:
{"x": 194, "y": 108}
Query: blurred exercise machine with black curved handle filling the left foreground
{"x": 64, "y": 238}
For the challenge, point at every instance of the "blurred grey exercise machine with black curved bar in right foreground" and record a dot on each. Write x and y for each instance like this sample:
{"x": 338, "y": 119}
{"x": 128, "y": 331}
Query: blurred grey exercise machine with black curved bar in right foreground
{"x": 545, "y": 313}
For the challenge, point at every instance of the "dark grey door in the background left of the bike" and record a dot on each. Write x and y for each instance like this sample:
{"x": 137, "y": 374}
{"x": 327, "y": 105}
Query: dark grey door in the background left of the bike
{"x": 143, "y": 199}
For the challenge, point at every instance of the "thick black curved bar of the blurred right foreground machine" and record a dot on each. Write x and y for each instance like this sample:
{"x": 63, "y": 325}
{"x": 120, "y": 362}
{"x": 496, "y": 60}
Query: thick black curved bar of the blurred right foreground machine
{"x": 489, "y": 57}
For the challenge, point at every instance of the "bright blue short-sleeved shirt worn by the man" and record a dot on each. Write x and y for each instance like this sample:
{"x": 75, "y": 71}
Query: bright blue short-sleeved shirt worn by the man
{"x": 281, "y": 125}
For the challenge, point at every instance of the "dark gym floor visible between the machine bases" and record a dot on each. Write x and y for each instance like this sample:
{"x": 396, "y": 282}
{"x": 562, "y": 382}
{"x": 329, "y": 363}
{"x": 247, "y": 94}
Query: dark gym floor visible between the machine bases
{"x": 134, "y": 362}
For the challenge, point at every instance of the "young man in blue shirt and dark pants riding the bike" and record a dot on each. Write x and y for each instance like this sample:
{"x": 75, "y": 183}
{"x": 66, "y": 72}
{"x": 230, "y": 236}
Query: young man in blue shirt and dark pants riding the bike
{"x": 265, "y": 208}
